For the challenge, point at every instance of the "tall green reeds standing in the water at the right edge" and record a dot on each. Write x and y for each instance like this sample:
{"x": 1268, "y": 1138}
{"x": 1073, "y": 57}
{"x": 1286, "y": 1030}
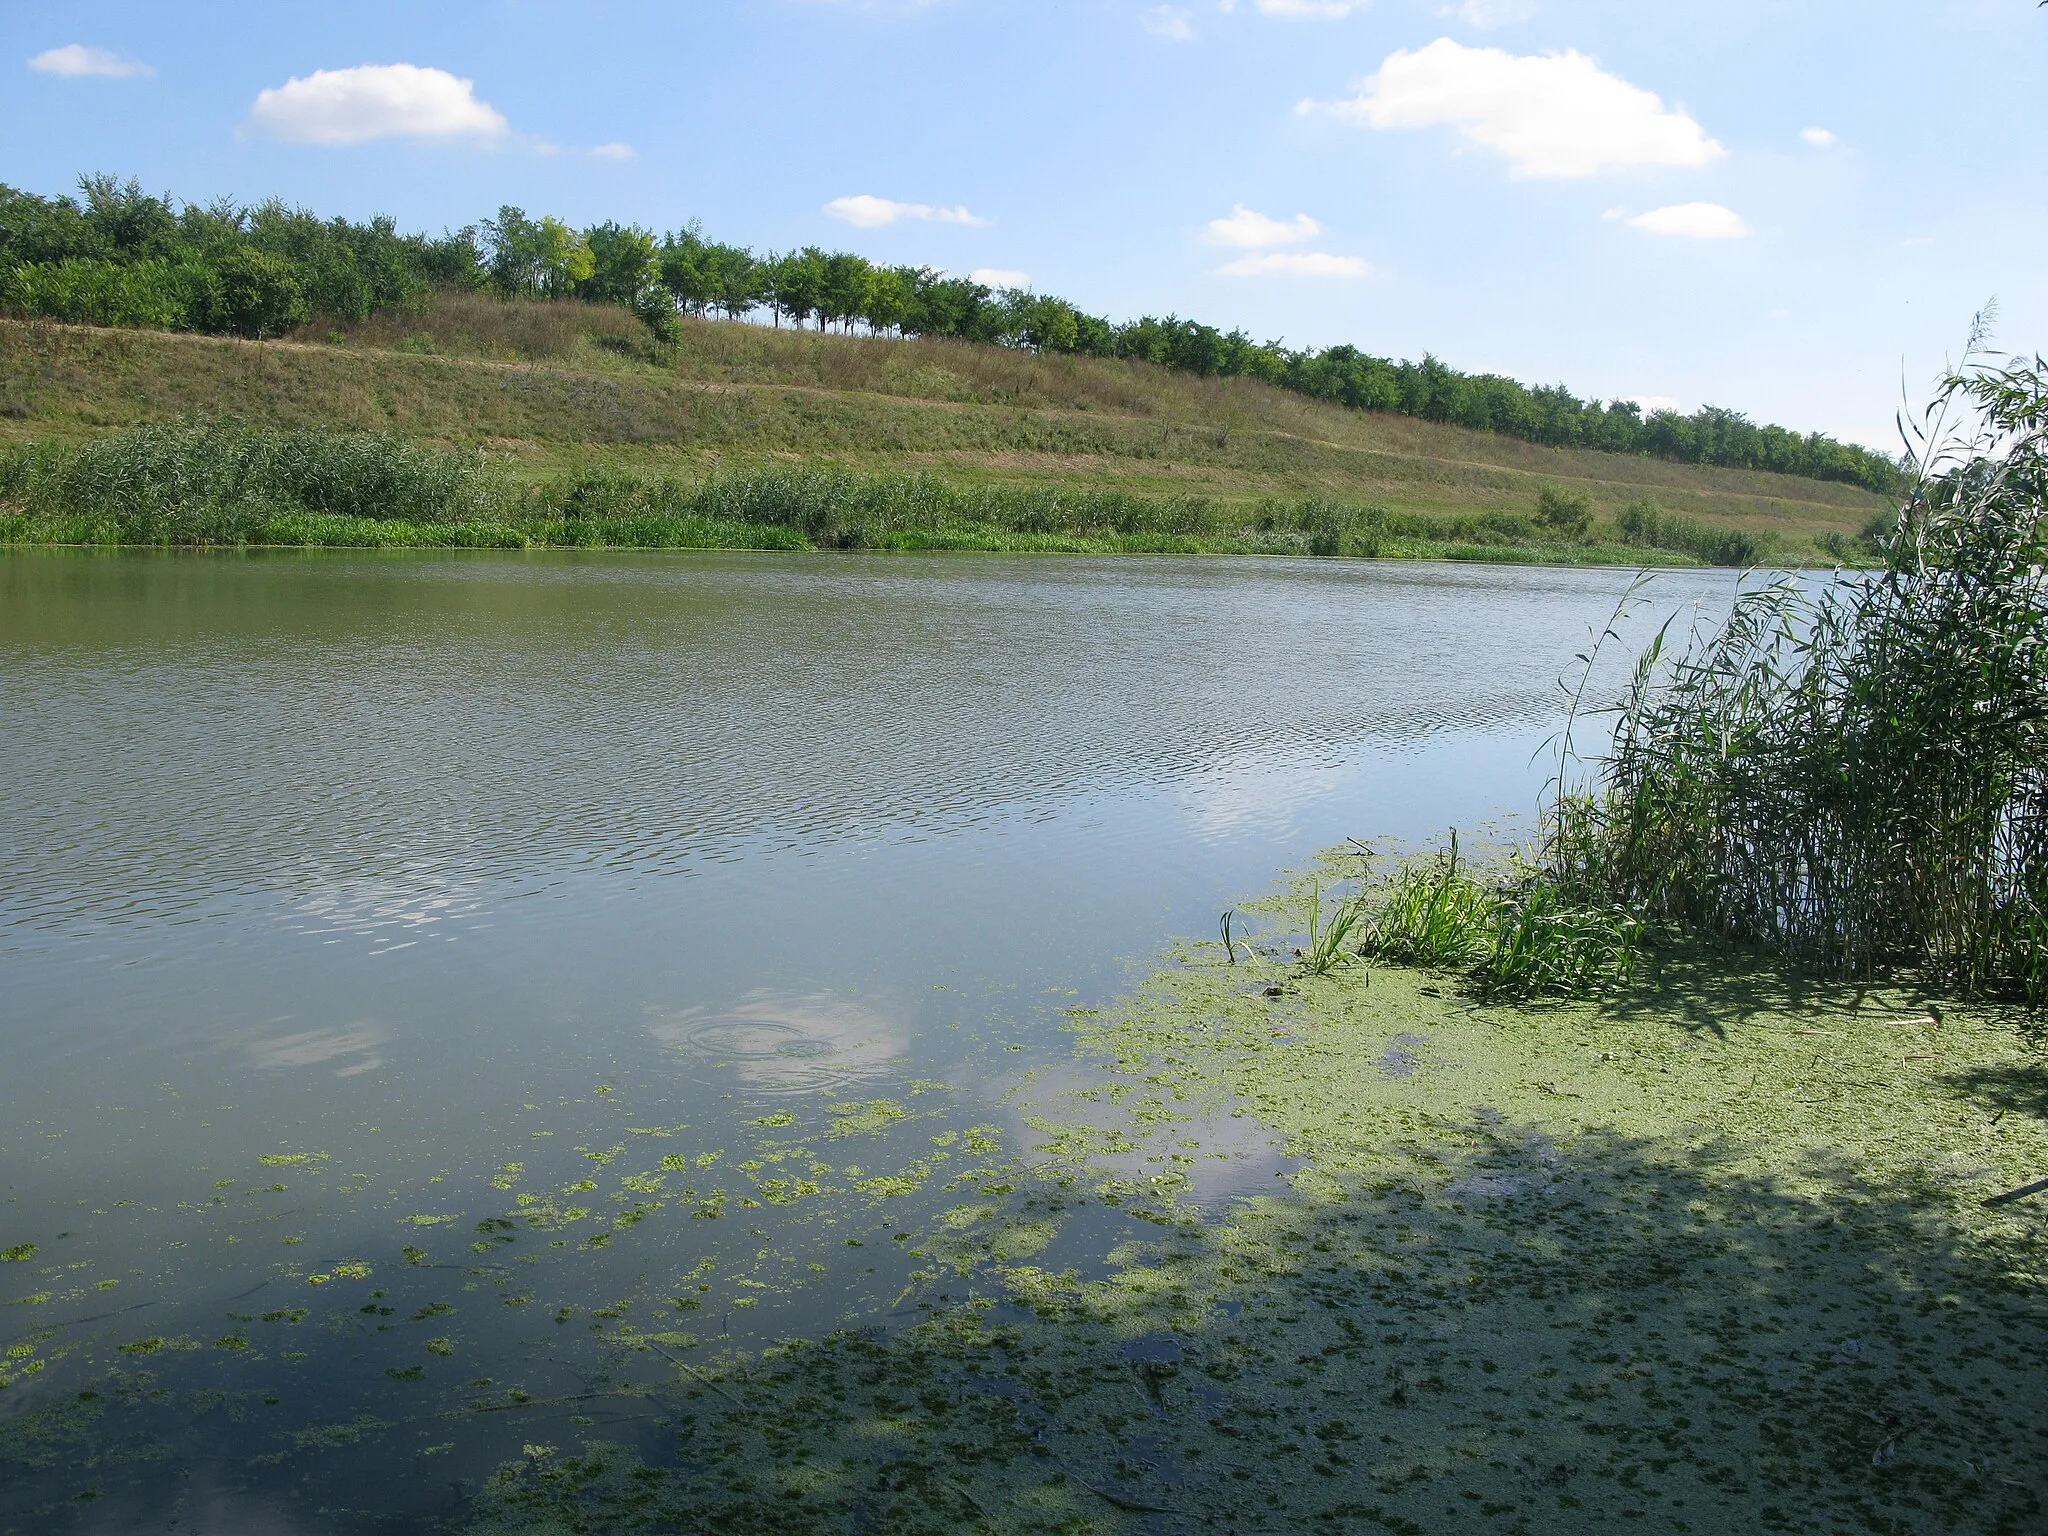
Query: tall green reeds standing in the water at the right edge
{"x": 1857, "y": 773}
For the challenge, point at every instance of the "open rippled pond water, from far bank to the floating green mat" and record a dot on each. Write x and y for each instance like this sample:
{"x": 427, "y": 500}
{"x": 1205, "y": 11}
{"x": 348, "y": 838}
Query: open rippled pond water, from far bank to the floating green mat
{"x": 355, "y": 910}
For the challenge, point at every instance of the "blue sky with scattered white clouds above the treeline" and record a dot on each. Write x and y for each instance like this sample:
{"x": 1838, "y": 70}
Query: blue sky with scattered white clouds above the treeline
{"x": 1789, "y": 208}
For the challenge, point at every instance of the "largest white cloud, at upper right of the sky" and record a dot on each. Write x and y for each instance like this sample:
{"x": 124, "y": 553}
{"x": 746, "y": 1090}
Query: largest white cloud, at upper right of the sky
{"x": 1549, "y": 114}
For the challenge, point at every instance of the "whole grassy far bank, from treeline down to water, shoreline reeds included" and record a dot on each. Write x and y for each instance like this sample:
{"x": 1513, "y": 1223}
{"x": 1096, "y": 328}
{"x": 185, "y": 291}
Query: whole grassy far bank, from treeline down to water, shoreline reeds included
{"x": 572, "y": 427}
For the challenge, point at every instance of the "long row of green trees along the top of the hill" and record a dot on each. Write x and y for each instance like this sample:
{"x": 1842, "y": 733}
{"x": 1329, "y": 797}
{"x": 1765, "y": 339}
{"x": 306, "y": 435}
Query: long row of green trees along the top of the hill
{"x": 124, "y": 257}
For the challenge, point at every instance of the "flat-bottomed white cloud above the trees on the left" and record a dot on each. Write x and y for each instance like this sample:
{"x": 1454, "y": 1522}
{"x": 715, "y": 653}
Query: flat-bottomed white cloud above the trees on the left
{"x": 374, "y": 101}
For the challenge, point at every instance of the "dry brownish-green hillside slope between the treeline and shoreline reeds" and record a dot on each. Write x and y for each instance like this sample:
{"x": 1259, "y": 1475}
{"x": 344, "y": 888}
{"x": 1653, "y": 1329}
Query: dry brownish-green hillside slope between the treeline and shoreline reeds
{"x": 566, "y": 386}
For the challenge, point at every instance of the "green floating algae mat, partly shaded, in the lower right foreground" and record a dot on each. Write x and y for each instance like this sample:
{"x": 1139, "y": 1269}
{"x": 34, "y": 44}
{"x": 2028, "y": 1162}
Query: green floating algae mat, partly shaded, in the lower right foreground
{"x": 1705, "y": 1258}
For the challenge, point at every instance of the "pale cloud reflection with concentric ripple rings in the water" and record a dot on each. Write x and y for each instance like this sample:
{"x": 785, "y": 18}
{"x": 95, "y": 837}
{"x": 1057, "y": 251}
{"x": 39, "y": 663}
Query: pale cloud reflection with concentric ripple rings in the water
{"x": 787, "y": 1041}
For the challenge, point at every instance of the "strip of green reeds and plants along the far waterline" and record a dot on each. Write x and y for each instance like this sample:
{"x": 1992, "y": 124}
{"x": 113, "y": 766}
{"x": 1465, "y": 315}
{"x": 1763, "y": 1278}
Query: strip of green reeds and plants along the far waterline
{"x": 218, "y": 482}
